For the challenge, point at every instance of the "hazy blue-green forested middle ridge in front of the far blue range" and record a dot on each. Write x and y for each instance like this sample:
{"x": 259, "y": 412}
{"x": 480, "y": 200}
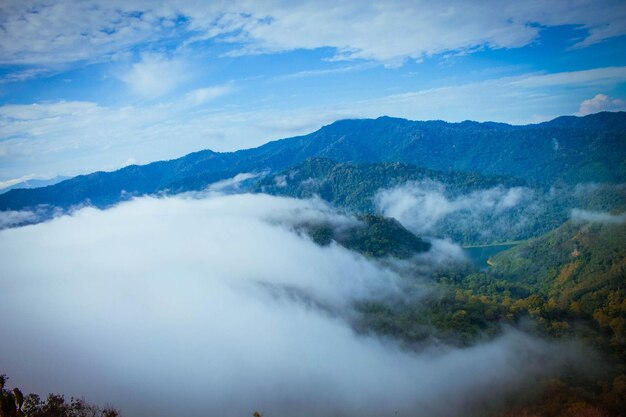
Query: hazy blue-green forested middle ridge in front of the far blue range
{"x": 353, "y": 186}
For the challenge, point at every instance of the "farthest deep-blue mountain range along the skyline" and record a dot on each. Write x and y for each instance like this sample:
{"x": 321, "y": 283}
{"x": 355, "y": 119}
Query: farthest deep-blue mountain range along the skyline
{"x": 567, "y": 149}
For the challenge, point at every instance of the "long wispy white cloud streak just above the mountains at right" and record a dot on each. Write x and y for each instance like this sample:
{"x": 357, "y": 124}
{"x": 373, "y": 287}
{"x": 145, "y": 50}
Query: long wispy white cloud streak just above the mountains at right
{"x": 515, "y": 99}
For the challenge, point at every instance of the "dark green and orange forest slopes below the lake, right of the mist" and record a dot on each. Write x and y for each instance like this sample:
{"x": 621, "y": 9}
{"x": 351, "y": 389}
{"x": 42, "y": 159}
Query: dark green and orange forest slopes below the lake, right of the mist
{"x": 568, "y": 284}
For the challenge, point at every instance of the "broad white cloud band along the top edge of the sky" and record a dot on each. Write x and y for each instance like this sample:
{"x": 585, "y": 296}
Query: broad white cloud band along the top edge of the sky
{"x": 64, "y": 31}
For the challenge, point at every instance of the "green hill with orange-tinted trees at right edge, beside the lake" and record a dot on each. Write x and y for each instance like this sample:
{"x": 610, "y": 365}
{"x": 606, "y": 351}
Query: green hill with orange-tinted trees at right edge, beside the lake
{"x": 579, "y": 269}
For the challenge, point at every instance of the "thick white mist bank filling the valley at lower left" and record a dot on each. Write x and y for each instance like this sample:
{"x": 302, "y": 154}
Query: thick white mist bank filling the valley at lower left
{"x": 207, "y": 304}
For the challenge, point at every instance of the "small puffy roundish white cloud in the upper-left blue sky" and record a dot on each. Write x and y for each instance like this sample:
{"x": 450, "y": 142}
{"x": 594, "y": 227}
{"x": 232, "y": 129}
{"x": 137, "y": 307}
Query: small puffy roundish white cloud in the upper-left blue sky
{"x": 155, "y": 75}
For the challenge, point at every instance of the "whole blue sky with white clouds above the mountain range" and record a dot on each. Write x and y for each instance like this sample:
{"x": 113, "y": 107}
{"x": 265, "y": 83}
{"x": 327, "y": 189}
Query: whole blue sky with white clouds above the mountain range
{"x": 96, "y": 85}
